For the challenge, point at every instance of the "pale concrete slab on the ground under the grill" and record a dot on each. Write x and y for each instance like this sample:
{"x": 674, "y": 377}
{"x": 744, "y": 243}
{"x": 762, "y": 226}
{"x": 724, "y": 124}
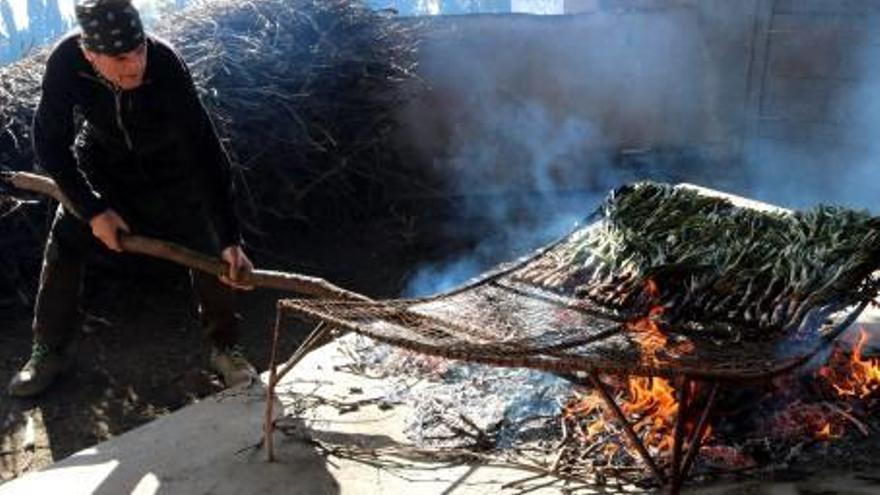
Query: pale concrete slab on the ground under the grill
{"x": 208, "y": 448}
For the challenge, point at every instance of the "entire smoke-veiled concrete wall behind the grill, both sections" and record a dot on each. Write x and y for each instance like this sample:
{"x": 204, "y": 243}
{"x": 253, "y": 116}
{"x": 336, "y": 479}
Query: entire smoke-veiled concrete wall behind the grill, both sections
{"x": 778, "y": 94}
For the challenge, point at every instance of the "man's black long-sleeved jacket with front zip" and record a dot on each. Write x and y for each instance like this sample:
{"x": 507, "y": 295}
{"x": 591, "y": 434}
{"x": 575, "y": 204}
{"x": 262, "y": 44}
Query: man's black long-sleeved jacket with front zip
{"x": 150, "y": 153}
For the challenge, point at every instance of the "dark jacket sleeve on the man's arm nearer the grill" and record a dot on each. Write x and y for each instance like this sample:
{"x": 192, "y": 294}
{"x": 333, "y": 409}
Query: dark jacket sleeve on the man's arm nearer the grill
{"x": 213, "y": 156}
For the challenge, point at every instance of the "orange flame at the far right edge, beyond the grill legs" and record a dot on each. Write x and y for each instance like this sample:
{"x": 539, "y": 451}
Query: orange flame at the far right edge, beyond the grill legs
{"x": 856, "y": 377}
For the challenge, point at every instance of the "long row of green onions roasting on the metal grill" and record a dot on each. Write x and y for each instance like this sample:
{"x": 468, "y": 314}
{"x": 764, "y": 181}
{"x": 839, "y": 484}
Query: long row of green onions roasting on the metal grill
{"x": 706, "y": 260}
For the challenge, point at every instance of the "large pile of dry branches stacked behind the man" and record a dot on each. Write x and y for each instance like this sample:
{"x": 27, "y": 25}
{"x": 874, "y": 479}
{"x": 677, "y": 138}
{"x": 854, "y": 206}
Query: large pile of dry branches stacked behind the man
{"x": 303, "y": 92}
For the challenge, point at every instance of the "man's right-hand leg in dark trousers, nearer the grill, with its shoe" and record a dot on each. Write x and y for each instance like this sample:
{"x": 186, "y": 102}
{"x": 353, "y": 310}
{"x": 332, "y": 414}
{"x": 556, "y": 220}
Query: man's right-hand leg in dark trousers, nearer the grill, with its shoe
{"x": 220, "y": 324}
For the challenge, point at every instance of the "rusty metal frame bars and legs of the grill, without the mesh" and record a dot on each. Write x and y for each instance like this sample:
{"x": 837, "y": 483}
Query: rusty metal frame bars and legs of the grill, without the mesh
{"x": 709, "y": 380}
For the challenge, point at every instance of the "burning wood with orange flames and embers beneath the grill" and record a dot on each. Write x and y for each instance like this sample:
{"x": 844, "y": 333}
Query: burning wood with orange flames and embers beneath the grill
{"x": 769, "y": 433}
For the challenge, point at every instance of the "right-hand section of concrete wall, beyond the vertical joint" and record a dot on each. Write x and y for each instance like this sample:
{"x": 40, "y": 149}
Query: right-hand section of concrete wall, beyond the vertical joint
{"x": 814, "y": 94}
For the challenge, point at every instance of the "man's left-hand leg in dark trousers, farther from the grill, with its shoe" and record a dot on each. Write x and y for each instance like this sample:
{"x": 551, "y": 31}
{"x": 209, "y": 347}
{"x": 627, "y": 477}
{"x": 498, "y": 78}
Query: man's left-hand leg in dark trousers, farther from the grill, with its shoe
{"x": 56, "y": 312}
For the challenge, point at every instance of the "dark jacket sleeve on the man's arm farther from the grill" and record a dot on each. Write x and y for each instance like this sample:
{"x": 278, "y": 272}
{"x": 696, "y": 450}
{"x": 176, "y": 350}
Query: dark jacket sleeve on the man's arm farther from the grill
{"x": 53, "y": 136}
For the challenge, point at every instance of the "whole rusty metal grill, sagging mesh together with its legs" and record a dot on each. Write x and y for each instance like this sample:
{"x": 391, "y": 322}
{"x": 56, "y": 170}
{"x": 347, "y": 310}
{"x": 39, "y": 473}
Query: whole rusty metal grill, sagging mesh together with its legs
{"x": 515, "y": 318}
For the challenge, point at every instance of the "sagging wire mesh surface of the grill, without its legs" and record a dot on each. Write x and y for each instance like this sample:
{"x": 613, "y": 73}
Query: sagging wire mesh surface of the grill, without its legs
{"x": 503, "y": 319}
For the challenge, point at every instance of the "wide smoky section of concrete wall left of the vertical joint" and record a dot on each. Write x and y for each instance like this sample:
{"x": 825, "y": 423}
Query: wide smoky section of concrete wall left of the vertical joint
{"x": 508, "y": 91}
